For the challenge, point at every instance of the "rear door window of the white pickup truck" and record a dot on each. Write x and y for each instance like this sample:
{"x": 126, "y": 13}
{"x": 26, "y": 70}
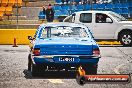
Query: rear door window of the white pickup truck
{"x": 86, "y": 17}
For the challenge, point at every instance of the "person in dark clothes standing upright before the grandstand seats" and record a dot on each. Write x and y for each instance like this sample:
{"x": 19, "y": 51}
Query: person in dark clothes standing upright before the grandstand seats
{"x": 49, "y": 13}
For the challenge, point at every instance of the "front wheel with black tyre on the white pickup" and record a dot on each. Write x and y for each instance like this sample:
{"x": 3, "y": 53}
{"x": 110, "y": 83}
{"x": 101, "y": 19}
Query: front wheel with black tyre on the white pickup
{"x": 126, "y": 38}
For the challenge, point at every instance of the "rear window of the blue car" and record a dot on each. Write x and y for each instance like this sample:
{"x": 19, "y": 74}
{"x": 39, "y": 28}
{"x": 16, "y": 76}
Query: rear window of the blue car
{"x": 63, "y": 31}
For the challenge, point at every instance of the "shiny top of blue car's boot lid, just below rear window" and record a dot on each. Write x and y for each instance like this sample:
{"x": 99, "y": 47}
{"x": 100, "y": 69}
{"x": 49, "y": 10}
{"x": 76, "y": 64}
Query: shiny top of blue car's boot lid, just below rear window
{"x": 82, "y": 41}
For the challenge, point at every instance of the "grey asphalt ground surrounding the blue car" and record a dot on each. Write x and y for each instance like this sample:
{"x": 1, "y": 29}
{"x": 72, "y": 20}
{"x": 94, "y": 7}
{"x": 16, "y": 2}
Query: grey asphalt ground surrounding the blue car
{"x": 14, "y": 74}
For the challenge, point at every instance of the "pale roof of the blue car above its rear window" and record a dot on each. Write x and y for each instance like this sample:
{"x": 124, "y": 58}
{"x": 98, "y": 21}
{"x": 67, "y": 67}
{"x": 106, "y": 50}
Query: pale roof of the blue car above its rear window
{"x": 55, "y": 24}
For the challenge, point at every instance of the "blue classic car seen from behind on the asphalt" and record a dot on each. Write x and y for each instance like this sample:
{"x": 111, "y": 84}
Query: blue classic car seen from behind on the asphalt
{"x": 63, "y": 47}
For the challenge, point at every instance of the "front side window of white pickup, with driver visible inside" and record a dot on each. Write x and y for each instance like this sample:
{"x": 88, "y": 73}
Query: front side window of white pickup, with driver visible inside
{"x": 102, "y": 18}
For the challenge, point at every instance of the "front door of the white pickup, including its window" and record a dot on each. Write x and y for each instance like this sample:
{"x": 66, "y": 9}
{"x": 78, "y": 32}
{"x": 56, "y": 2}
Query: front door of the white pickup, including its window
{"x": 104, "y": 27}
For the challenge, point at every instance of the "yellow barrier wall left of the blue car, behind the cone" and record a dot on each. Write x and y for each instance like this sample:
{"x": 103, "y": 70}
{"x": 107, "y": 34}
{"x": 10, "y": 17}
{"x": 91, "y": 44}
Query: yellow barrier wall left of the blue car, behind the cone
{"x": 7, "y": 36}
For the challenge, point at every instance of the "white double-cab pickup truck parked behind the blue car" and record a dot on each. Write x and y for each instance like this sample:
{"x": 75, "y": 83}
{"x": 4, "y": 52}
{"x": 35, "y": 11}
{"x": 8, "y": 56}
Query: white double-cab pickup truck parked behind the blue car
{"x": 104, "y": 25}
